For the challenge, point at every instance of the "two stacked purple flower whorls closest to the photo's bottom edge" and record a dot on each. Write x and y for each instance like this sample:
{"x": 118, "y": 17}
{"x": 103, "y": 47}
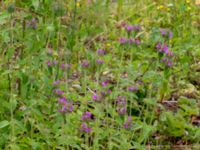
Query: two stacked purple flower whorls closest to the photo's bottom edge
{"x": 87, "y": 116}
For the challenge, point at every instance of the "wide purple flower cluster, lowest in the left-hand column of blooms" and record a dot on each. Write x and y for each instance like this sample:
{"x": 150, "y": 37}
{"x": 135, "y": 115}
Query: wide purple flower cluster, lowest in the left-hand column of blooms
{"x": 65, "y": 105}
